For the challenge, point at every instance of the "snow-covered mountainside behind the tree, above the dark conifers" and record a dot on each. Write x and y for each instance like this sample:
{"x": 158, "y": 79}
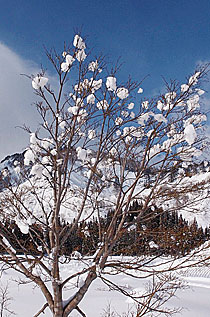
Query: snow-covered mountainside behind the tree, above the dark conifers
{"x": 13, "y": 172}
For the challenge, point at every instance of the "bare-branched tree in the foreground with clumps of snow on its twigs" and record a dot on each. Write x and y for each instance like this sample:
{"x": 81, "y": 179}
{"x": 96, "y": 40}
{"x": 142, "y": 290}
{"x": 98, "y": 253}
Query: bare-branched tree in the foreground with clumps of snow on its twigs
{"x": 96, "y": 141}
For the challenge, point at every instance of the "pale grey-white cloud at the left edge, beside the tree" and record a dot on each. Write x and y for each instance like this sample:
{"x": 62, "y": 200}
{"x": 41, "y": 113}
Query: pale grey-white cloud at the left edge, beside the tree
{"x": 16, "y": 97}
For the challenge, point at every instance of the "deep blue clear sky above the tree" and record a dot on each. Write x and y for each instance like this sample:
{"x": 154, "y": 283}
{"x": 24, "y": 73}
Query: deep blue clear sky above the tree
{"x": 152, "y": 37}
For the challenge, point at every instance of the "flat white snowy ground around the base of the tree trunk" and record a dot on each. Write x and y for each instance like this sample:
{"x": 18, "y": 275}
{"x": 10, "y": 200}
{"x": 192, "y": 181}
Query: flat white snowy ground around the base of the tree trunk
{"x": 194, "y": 300}
